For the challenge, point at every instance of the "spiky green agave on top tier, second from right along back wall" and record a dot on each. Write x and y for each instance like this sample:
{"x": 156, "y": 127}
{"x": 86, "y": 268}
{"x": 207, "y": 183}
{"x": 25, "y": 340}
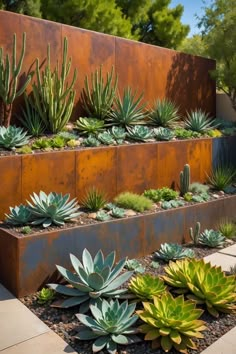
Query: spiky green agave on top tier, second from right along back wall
{"x": 164, "y": 113}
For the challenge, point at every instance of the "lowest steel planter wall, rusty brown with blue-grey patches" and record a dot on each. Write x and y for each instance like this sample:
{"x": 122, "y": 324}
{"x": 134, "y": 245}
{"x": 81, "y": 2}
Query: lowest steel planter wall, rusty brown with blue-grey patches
{"x": 28, "y": 262}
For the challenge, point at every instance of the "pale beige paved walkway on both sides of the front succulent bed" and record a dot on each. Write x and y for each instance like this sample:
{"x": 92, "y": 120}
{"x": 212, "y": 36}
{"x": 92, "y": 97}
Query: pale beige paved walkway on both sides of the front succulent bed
{"x": 21, "y": 332}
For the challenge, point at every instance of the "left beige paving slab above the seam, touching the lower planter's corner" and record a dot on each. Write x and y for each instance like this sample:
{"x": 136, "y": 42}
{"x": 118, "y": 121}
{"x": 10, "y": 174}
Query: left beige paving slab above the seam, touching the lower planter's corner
{"x": 17, "y": 322}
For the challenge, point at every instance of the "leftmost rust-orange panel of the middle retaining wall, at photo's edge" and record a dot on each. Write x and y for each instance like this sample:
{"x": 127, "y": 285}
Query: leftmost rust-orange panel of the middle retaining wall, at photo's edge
{"x": 10, "y": 177}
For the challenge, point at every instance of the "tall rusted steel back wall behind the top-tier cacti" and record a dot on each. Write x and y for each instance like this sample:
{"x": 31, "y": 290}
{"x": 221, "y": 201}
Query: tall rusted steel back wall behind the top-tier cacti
{"x": 156, "y": 71}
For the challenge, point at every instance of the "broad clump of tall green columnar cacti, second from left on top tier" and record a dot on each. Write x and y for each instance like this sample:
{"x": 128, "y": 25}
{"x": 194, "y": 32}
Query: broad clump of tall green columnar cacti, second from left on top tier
{"x": 53, "y": 97}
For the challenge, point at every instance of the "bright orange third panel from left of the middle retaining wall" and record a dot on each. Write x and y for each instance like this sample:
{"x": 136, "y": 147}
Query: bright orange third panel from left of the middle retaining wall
{"x": 96, "y": 167}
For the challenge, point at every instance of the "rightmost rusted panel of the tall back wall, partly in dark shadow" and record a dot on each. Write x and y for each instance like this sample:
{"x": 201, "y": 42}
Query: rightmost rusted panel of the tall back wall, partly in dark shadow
{"x": 161, "y": 72}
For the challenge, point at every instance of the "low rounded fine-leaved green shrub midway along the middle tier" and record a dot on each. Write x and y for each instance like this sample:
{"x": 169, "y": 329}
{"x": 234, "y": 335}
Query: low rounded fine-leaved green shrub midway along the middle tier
{"x": 133, "y": 201}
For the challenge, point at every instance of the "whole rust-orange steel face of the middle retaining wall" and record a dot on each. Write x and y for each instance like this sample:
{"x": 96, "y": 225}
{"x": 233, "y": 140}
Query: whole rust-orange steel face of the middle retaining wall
{"x": 112, "y": 169}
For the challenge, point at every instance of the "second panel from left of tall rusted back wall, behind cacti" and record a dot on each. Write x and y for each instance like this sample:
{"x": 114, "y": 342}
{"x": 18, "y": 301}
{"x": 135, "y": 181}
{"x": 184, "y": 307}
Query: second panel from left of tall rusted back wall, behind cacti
{"x": 88, "y": 50}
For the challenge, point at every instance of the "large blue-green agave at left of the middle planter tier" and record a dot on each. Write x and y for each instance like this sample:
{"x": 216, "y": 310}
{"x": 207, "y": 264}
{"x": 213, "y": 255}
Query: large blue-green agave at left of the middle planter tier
{"x": 53, "y": 208}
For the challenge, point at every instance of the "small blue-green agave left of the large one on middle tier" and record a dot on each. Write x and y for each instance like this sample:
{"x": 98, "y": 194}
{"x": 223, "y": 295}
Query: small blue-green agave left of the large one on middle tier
{"x": 19, "y": 215}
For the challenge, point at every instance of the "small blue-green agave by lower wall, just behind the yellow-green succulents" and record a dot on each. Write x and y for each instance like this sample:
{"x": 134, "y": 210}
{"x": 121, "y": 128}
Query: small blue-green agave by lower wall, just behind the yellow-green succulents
{"x": 173, "y": 251}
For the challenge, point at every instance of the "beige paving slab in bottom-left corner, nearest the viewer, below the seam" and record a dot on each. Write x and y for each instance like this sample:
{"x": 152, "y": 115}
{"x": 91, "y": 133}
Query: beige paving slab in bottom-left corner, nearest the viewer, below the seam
{"x": 42, "y": 344}
